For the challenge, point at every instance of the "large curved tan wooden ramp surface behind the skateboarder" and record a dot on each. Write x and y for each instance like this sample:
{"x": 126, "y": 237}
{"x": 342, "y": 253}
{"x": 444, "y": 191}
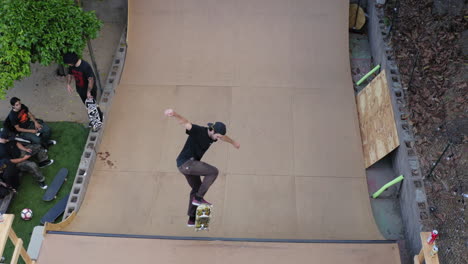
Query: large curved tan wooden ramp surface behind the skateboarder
{"x": 277, "y": 73}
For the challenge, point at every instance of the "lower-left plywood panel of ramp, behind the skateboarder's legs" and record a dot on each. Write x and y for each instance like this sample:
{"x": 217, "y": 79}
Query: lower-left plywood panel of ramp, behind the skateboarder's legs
{"x": 161, "y": 198}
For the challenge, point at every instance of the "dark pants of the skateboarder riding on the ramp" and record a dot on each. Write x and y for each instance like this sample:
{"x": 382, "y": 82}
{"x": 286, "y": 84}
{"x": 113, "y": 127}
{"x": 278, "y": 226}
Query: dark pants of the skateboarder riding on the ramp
{"x": 192, "y": 170}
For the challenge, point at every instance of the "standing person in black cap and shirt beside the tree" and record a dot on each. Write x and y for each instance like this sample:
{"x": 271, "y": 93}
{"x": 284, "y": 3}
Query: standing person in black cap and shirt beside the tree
{"x": 85, "y": 83}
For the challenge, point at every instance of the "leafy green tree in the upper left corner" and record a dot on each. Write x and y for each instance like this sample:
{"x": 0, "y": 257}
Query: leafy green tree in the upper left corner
{"x": 40, "y": 31}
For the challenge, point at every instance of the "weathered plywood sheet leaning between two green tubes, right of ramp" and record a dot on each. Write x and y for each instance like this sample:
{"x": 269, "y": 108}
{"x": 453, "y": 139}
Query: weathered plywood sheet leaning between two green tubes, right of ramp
{"x": 377, "y": 120}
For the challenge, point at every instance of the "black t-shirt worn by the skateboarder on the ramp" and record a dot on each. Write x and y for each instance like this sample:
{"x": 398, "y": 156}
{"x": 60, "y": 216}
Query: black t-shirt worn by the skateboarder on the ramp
{"x": 196, "y": 145}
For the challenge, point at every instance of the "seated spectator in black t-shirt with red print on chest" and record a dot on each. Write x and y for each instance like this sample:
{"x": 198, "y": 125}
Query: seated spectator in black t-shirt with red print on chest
{"x": 26, "y": 124}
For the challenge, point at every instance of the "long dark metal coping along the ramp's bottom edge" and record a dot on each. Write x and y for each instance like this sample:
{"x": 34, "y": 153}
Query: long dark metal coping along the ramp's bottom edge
{"x": 225, "y": 239}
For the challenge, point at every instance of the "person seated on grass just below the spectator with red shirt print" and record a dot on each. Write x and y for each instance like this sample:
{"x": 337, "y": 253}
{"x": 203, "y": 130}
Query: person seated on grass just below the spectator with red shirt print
{"x": 21, "y": 156}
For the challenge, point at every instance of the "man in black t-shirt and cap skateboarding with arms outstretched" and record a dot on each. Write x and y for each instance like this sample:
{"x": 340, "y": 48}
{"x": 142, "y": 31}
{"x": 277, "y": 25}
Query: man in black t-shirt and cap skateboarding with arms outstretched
{"x": 189, "y": 160}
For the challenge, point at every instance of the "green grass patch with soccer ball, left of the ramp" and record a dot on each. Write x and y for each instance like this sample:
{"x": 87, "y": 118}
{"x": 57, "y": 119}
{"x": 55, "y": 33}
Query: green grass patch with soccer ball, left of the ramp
{"x": 71, "y": 139}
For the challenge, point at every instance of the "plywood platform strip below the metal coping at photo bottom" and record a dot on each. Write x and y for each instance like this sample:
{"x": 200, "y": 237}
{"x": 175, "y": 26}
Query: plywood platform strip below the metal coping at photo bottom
{"x": 57, "y": 249}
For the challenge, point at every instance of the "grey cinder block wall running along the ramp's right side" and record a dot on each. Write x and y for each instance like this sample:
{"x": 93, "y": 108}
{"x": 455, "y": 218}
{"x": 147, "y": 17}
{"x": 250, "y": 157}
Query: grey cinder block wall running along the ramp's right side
{"x": 412, "y": 199}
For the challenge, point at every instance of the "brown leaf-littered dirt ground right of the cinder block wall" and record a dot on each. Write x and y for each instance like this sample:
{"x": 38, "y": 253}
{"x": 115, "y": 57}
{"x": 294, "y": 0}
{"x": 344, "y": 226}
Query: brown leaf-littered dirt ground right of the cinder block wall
{"x": 427, "y": 37}
